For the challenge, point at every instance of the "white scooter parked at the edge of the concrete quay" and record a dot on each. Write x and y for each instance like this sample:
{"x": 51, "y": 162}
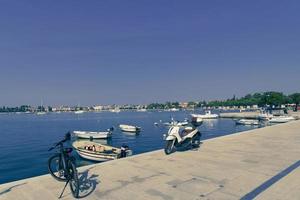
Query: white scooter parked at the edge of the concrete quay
{"x": 181, "y": 137}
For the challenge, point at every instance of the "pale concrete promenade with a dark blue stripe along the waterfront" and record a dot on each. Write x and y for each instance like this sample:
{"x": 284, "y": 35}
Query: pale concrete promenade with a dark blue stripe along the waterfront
{"x": 258, "y": 164}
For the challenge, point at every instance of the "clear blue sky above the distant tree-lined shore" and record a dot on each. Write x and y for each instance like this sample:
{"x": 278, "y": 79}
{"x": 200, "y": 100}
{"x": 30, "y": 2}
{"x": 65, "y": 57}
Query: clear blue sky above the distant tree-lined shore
{"x": 103, "y": 52}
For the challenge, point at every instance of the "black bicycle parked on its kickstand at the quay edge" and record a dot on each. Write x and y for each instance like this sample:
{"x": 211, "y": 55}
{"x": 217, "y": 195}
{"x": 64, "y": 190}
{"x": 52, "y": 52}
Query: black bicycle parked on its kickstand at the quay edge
{"x": 62, "y": 166}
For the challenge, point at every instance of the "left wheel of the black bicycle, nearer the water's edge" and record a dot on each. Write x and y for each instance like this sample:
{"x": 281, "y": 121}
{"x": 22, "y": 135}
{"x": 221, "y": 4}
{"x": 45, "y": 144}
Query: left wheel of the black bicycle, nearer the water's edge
{"x": 55, "y": 167}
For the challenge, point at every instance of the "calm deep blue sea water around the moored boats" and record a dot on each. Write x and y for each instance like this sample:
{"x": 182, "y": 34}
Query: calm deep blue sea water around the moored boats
{"x": 26, "y": 138}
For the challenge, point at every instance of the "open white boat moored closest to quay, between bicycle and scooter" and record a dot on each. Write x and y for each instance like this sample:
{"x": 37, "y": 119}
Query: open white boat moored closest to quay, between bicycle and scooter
{"x": 99, "y": 152}
